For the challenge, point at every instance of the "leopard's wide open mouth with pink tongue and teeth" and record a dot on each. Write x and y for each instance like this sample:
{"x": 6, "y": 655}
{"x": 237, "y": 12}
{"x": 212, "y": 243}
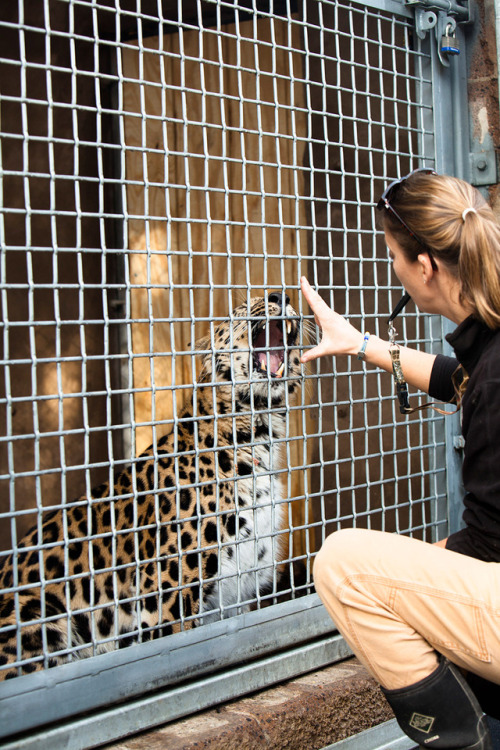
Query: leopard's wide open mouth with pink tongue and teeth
{"x": 269, "y": 347}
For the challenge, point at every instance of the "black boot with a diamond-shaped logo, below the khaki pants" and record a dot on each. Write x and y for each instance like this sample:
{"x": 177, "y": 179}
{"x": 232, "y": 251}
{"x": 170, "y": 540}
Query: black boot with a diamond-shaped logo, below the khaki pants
{"x": 441, "y": 711}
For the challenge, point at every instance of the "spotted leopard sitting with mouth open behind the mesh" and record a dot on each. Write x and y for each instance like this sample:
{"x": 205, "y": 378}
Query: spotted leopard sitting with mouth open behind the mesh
{"x": 185, "y": 535}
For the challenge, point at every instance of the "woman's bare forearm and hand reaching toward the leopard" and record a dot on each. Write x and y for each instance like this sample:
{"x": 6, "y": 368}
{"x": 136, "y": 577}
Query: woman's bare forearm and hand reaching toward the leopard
{"x": 340, "y": 337}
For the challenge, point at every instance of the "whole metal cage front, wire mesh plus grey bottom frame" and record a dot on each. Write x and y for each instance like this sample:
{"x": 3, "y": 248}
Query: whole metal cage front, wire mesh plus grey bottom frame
{"x": 163, "y": 163}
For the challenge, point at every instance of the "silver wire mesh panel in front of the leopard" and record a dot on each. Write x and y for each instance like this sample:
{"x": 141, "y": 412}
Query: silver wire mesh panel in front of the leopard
{"x": 169, "y": 171}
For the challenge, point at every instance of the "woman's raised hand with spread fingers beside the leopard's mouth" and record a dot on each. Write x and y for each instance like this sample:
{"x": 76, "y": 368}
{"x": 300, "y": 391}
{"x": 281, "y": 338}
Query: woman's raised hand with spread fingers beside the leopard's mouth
{"x": 339, "y": 336}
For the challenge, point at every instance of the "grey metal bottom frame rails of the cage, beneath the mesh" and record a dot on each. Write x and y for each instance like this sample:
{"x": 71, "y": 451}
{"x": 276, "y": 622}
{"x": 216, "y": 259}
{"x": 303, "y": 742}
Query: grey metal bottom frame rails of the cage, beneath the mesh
{"x": 176, "y": 672}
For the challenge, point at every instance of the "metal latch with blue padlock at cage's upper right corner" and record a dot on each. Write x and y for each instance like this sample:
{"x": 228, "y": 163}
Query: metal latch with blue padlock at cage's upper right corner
{"x": 442, "y": 16}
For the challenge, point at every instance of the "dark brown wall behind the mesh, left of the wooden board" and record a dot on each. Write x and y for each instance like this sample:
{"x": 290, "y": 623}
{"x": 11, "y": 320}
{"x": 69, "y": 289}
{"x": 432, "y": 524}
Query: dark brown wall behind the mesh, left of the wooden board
{"x": 55, "y": 404}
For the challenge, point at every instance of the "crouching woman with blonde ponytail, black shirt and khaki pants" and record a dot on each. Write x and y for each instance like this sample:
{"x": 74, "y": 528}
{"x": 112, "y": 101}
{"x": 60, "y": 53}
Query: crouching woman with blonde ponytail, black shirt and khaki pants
{"x": 413, "y": 612}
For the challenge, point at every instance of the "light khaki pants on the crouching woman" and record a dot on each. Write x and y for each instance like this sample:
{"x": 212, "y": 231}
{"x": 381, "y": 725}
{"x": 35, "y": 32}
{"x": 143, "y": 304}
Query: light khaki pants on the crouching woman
{"x": 398, "y": 601}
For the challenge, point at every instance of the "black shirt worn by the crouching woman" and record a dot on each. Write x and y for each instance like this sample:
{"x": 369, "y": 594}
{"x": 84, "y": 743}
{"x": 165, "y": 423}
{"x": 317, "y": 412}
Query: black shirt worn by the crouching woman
{"x": 478, "y": 351}
